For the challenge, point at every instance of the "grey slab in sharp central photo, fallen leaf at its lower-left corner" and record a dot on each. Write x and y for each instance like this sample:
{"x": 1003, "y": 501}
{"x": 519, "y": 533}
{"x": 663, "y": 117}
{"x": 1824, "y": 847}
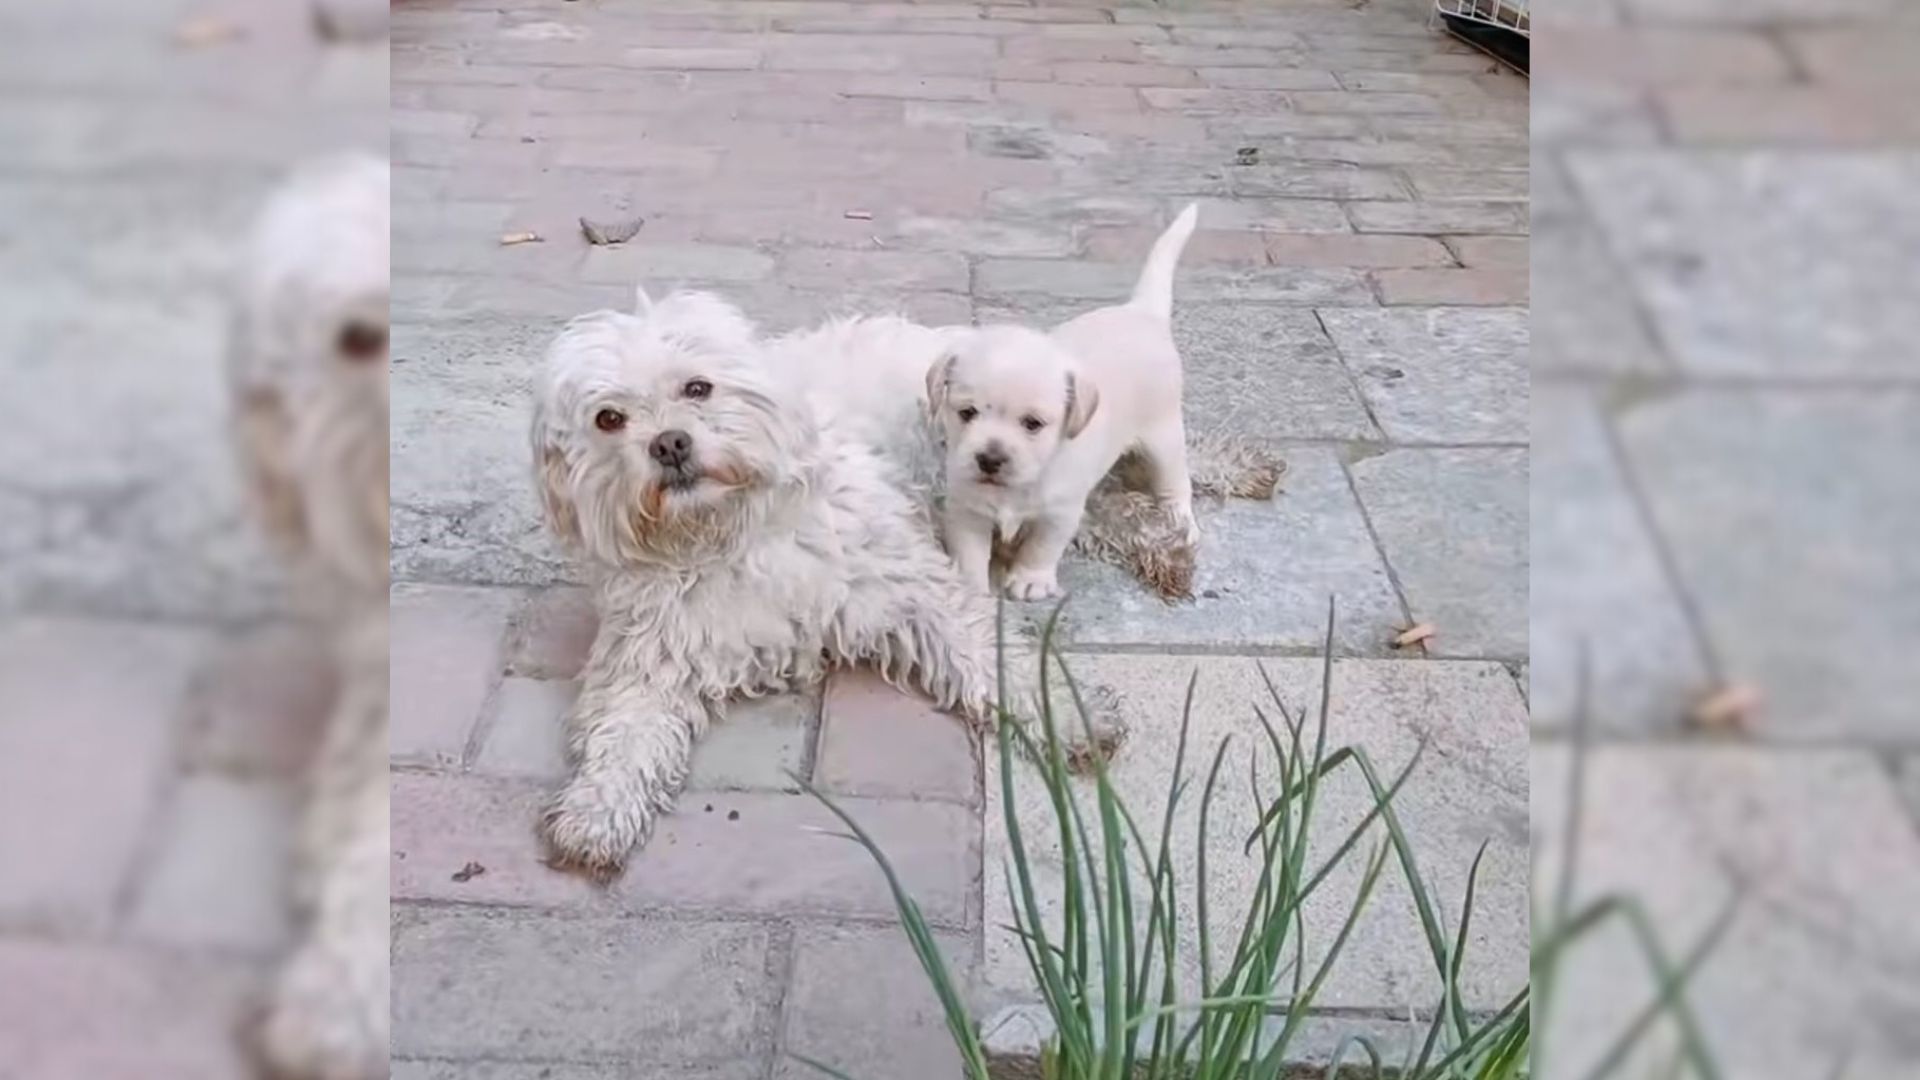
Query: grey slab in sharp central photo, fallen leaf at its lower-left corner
{"x": 1454, "y": 531}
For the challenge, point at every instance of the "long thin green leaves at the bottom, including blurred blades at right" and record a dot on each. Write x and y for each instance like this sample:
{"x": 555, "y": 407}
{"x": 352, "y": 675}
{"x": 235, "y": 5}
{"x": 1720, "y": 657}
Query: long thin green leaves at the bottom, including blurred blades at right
{"x": 1109, "y": 977}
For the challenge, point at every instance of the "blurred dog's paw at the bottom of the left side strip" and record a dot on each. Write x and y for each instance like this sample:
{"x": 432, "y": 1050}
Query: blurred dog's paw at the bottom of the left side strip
{"x": 325, "y": 1021}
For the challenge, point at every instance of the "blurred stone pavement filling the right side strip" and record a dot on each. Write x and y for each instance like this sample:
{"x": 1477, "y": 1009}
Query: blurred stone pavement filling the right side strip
{"x": 1727, "y": 406}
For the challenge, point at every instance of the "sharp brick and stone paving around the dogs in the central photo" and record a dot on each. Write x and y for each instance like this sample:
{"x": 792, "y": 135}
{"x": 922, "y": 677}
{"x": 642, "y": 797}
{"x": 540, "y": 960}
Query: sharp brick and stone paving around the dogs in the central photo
{"x": 1355, "y": 297}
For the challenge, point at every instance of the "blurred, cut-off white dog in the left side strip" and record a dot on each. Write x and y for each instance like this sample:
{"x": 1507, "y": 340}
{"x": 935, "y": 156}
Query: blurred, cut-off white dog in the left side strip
{"x": 308, "y": 372}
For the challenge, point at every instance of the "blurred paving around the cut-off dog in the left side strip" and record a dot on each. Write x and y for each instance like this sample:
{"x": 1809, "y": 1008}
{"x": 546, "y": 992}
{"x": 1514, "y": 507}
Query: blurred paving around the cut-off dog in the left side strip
{"x": 160, "y": 695}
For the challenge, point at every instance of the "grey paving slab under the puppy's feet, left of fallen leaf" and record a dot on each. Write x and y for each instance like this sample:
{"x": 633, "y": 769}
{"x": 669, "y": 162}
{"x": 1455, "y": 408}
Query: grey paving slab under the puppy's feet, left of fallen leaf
{"x": 1262, "y": 579}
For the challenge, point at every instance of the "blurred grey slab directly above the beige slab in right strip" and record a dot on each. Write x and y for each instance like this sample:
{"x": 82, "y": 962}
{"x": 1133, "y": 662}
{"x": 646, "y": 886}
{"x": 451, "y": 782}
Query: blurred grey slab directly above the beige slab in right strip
{"x": 1750, "y": 483}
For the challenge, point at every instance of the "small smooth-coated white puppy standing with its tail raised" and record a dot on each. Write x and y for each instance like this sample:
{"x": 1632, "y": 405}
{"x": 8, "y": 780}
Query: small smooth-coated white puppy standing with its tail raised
{"x": 1034, "y": 422}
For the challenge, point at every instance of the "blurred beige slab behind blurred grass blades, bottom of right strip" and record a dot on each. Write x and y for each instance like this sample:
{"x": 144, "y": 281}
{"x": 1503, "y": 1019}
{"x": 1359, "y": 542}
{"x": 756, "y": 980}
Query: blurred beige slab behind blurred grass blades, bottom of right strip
{"x": 1823, "y": 958}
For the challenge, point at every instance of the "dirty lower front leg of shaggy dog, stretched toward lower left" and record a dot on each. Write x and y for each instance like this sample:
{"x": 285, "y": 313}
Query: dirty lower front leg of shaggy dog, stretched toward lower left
{"x": 631, "y": 745}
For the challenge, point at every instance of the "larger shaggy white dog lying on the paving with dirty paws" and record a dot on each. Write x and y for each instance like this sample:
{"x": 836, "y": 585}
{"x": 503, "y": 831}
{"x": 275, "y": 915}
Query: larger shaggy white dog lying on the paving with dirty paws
{"x": 748, "y": 529}
